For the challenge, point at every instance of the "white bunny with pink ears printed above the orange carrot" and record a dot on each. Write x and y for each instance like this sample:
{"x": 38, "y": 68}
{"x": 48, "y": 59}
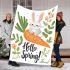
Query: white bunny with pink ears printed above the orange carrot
{"x": 35, "y": 27}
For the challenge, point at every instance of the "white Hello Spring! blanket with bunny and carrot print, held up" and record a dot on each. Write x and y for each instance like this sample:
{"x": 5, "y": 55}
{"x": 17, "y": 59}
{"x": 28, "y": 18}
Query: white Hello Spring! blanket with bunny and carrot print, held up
{"x": 33, "y": 35}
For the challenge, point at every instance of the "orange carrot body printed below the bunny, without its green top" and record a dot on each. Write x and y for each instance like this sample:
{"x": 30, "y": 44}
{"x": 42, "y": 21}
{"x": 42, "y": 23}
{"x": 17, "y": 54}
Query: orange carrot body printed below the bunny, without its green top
{"x": 35, "y": 39}
